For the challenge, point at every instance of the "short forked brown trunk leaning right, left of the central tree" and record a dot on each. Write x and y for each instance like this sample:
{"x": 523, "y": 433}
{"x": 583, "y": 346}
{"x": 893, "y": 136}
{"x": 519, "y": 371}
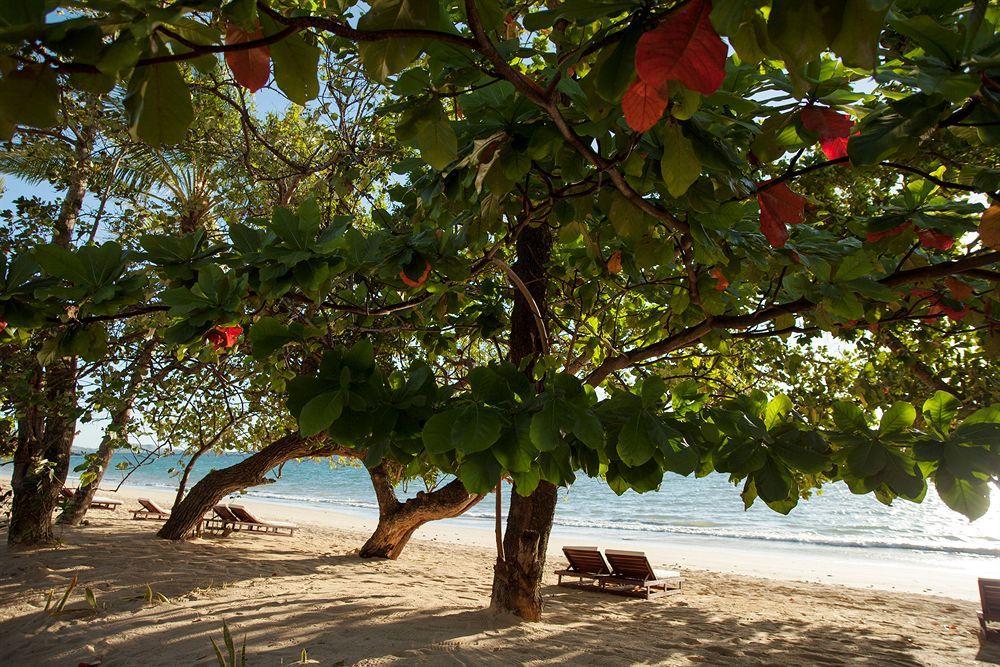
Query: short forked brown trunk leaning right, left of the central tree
{"x": 397, "y": 521}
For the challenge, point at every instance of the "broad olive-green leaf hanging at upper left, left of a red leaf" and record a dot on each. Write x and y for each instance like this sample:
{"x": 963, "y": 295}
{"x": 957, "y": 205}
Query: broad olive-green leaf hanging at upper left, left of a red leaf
{"x": 159, "y": 104}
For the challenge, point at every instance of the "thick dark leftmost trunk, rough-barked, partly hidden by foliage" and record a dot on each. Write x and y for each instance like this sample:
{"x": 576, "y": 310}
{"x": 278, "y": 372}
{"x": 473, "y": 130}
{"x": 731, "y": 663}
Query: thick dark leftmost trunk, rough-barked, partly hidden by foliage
{"x": 46, "y": 432}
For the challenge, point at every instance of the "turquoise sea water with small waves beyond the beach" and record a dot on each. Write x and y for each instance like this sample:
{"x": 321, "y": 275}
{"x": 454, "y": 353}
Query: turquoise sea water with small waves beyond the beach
{"x": 708, "y": 507}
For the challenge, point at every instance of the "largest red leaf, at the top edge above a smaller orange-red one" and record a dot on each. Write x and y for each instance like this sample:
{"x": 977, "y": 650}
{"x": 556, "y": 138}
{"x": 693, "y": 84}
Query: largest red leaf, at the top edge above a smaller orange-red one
{"x": 685, "y": 48}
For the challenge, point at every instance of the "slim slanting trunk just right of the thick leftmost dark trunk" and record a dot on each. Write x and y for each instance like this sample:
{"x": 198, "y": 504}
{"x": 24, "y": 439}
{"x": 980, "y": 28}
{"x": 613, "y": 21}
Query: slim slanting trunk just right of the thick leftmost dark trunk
{"x": 117, "y": 432}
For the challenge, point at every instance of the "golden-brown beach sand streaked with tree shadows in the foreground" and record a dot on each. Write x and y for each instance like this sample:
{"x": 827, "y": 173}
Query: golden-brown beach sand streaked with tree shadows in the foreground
{"x": 431, "y": 607}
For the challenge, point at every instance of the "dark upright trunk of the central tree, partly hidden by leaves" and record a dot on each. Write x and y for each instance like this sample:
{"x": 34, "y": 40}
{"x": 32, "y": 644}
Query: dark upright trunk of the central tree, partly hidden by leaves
{"x": 517, "y": 576}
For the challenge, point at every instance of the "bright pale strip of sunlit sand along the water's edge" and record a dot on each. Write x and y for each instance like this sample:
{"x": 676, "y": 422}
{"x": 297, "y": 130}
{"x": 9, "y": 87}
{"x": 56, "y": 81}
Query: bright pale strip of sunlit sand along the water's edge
{"x": 944, "y": 574}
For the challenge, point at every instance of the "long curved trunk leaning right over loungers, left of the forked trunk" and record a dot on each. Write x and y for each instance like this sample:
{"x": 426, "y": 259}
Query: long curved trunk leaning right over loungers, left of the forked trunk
{"x": 216, "y": 485}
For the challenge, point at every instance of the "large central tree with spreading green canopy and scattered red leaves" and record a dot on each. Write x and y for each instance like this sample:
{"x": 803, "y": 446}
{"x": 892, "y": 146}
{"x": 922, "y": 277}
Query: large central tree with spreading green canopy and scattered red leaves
{"x": 602, "y": 188}
